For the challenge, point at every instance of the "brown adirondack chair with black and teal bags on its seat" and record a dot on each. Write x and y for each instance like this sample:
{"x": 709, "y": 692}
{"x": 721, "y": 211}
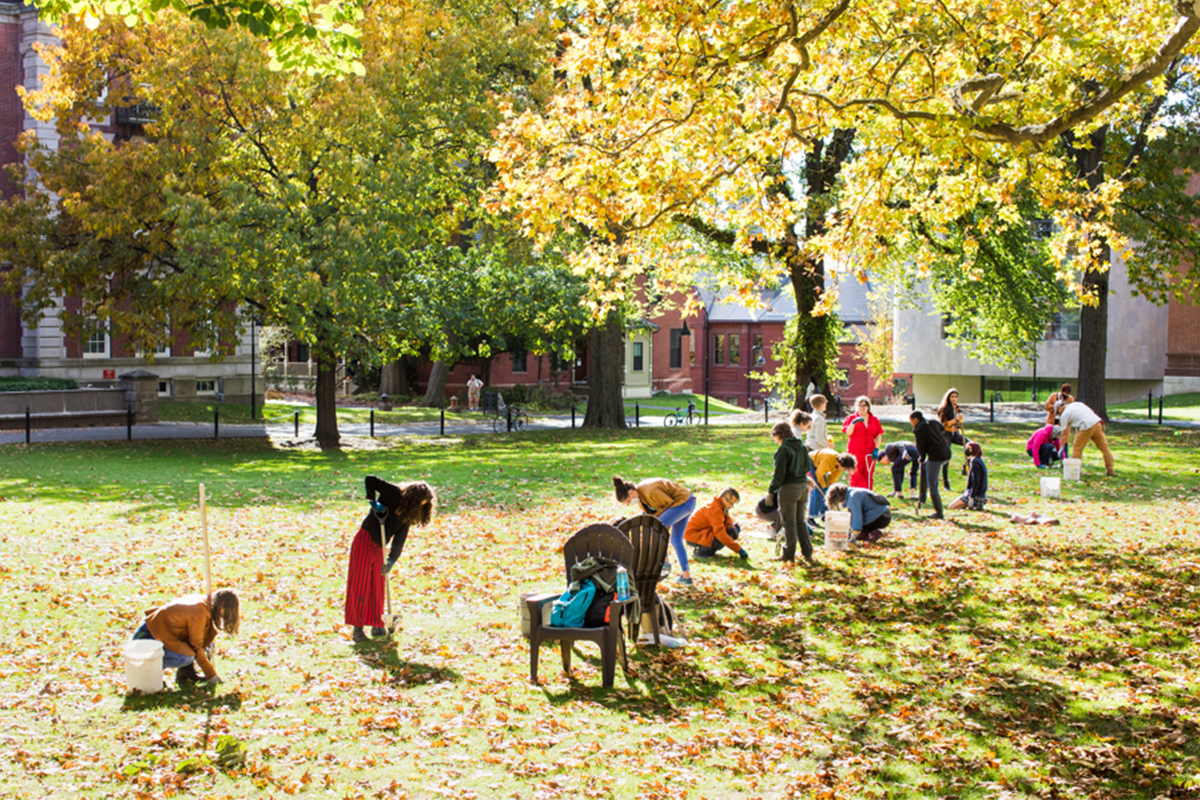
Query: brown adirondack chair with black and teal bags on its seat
{"x": 595, "y": 540}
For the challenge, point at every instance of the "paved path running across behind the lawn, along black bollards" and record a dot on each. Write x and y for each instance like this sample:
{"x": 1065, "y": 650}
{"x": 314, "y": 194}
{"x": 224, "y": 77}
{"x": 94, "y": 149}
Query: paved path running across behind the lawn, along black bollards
{"x": 459, "y": 426}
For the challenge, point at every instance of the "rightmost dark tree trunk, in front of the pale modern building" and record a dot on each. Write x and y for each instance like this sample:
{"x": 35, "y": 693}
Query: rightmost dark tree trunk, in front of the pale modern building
{"x": 1094, "y": 321}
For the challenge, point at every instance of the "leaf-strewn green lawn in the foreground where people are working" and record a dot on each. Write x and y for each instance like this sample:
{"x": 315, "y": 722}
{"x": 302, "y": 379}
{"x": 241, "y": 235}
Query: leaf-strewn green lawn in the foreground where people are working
{"x": 968, "y": 659}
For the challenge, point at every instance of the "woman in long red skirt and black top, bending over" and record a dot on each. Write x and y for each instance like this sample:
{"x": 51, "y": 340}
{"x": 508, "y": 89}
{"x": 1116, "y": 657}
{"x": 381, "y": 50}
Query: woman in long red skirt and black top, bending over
{"x": 394, "y": 510}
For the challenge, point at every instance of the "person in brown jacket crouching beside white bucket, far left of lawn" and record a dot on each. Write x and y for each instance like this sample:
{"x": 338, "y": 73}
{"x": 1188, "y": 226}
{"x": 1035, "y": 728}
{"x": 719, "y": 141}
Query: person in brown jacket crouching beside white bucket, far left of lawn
{"x": 187, "y": 628}
